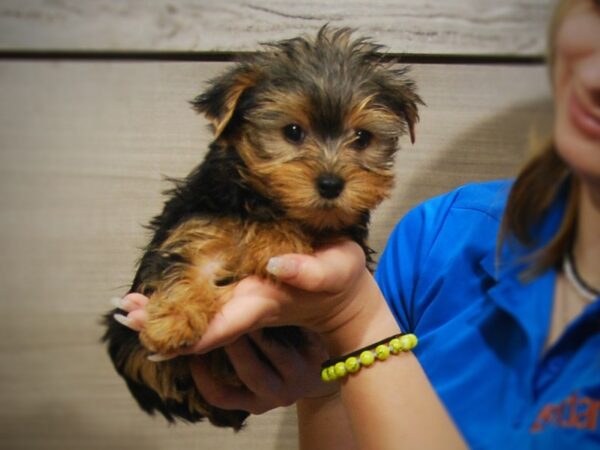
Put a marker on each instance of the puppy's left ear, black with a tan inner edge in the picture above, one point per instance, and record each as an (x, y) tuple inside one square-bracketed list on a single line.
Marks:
[(219, 102)]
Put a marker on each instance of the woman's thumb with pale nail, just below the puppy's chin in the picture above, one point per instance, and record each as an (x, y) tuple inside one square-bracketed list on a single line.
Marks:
[(328, 270)]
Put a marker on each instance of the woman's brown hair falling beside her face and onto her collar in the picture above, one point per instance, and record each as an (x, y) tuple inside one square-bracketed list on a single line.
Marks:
[(537, 186)]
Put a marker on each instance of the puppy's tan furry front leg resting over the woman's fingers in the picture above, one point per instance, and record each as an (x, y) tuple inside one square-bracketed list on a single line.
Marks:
[(189, 291)]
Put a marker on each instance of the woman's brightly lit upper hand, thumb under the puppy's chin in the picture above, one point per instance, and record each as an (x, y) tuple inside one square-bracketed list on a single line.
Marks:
[(323, 292)]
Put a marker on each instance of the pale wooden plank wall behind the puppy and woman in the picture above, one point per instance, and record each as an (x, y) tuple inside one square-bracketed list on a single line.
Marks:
[(93, 114)]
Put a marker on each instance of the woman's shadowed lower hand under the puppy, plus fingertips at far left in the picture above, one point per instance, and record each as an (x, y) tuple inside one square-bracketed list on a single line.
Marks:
[(272, 375)]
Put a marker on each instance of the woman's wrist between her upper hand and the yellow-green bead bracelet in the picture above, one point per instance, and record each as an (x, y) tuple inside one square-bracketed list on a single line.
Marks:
[(368, 319)]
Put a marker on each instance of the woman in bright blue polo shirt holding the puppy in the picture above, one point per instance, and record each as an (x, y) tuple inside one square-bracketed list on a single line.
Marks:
[(509, 329)]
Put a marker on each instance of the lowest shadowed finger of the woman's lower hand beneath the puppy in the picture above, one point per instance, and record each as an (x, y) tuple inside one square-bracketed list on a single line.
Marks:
[(218, 393)]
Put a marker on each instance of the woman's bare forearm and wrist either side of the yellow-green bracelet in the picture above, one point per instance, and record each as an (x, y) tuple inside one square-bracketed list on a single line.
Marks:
[(391, 404)]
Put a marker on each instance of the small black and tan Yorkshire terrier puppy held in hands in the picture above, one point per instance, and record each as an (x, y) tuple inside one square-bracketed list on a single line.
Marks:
[(305, 134)]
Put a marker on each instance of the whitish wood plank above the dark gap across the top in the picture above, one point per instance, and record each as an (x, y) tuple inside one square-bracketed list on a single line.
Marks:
[(510, 27)]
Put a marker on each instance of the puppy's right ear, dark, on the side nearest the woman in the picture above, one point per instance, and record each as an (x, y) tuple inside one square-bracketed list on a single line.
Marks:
[(399, 94)]
